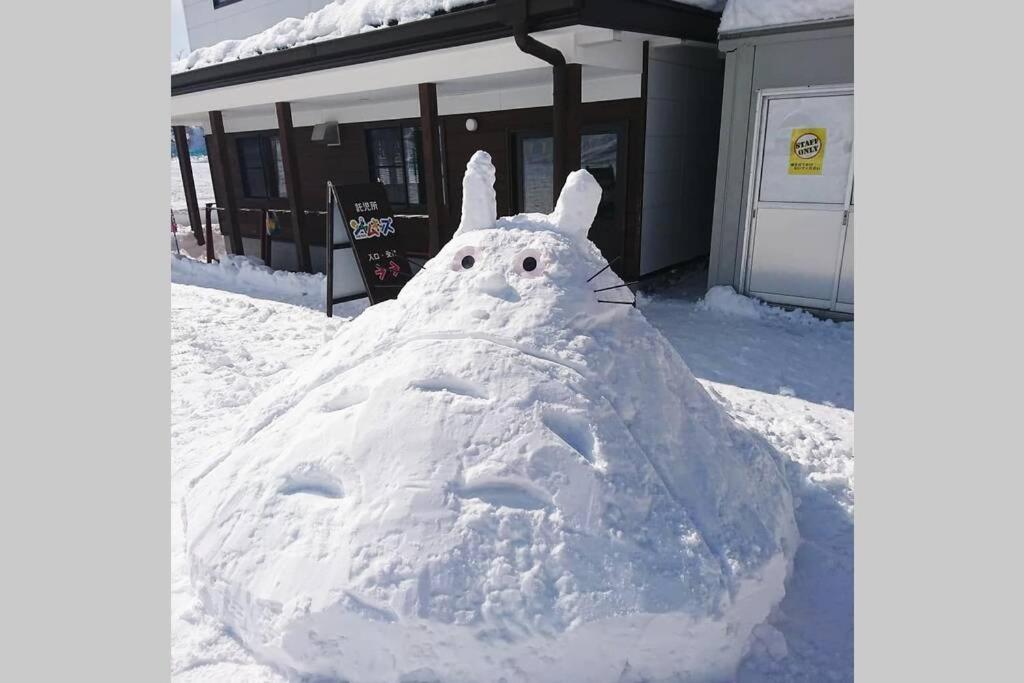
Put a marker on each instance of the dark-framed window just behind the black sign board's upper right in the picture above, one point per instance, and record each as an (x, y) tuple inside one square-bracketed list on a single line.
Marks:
[(395, 160)]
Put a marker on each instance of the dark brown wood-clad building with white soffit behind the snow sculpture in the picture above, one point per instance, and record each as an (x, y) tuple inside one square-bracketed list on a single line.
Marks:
[(628, 90)]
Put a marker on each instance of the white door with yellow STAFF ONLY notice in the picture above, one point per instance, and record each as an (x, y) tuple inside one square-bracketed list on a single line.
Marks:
[(800, 239)]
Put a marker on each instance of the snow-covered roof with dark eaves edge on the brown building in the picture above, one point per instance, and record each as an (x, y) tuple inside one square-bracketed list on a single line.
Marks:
[(333, 38)]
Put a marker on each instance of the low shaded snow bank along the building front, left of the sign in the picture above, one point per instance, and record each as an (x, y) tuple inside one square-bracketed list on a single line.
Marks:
[(247, 275)]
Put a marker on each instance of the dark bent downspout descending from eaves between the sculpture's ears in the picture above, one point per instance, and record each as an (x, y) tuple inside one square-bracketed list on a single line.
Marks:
[(516, 14)]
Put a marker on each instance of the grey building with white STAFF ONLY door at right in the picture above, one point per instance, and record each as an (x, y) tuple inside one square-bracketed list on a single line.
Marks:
[(784, 221)]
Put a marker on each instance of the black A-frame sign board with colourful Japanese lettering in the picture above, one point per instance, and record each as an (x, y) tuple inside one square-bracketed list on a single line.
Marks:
[(365, 257)]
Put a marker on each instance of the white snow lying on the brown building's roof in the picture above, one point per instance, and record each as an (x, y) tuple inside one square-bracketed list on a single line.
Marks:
[(338, 20)]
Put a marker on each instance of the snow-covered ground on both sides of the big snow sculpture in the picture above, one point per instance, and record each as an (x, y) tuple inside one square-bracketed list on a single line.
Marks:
[(786, 375)]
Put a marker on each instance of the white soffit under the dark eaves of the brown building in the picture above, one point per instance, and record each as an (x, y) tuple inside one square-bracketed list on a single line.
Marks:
[(605, 54)]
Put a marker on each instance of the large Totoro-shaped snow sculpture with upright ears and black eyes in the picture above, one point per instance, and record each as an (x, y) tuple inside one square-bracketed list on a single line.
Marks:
[(495, 477)]
